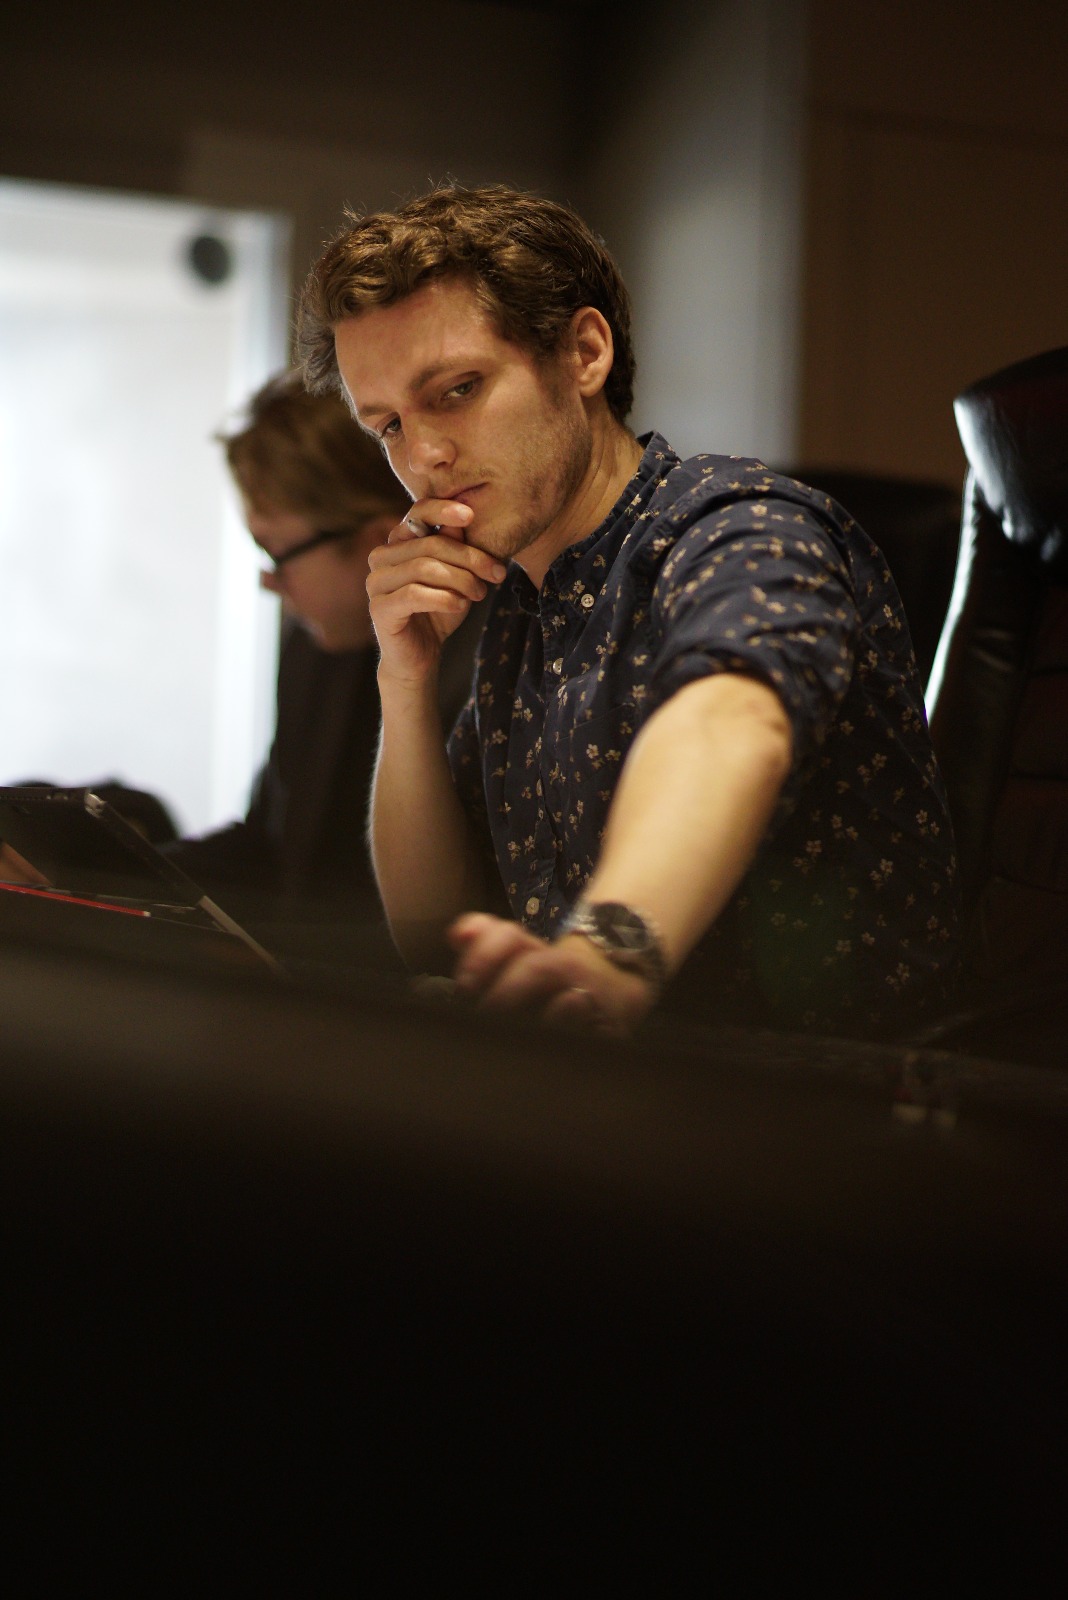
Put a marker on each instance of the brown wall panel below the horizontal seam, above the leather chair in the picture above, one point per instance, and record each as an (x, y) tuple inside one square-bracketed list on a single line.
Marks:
[(934, 257)]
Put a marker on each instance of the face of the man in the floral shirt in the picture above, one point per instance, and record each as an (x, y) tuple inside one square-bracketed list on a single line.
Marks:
[(466, 415)]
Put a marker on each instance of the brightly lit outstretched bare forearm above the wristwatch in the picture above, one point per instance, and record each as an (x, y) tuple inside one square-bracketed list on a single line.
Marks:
[(695, 801)]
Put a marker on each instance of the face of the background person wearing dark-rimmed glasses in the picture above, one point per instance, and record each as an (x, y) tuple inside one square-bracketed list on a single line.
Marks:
[(325, 590)]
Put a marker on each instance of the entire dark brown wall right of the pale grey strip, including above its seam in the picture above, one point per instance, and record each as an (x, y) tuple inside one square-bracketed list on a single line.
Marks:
[(936, 223)]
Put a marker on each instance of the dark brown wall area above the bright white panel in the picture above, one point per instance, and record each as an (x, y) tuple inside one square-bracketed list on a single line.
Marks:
[(290, 110)]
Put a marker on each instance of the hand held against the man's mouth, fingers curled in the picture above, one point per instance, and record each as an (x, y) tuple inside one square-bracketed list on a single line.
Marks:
[(423, 583)]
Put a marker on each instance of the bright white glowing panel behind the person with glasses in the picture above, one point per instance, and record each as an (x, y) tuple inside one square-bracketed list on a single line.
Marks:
[(135, 642)]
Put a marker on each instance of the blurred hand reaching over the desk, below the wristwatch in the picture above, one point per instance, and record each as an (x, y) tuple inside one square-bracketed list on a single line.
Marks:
[(570, 982)]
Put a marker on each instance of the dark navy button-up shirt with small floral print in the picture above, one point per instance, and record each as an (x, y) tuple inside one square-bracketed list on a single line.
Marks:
[(848, 918)]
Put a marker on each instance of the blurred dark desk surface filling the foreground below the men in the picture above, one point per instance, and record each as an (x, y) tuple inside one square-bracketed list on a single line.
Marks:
[(365, 1290)]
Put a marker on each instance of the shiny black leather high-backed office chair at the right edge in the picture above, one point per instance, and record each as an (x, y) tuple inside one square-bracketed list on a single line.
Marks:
[(1000, 711)]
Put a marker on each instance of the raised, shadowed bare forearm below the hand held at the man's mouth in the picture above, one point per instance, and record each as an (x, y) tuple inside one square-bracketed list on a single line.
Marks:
[(424, 855)]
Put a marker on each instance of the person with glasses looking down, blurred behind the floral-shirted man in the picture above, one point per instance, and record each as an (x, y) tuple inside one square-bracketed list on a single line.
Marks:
[(317, 497)]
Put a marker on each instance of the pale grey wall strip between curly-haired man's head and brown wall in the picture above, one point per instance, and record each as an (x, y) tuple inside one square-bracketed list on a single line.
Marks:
[(693, 177)]
